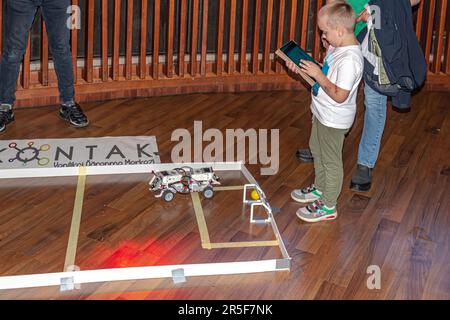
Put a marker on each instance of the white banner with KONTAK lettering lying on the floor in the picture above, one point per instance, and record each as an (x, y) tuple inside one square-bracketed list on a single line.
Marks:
[(80, 152)]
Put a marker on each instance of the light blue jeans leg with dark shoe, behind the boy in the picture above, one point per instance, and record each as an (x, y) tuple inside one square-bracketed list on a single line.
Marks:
[(369, 146)]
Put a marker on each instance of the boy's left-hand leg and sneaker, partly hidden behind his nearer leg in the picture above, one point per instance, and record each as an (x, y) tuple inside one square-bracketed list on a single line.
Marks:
[(314, 192)]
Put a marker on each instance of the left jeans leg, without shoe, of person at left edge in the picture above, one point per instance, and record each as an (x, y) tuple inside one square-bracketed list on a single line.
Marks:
[(19, 18)]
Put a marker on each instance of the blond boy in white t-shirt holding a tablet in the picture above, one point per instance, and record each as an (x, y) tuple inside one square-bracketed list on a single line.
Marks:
[(333, 107)]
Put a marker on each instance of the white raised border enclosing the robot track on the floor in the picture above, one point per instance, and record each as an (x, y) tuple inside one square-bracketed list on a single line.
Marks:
[(68, 280)]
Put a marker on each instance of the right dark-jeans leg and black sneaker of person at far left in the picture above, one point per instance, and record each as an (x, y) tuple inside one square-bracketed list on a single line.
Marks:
[(56, 15)]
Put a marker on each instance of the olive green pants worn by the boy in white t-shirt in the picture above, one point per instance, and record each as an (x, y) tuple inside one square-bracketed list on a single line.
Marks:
[(326, 147)]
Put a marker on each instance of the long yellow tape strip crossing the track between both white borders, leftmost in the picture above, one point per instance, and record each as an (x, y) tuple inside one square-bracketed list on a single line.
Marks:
[(76, 219)]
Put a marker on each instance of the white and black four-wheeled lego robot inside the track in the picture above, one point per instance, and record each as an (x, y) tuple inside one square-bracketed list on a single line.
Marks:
[(183, 180)]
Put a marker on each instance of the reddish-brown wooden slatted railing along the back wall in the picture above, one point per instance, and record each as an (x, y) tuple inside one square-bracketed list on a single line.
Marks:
[(185, 64)]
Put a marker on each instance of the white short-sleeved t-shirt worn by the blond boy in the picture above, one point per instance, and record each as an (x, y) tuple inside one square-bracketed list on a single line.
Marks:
[(345, 70)]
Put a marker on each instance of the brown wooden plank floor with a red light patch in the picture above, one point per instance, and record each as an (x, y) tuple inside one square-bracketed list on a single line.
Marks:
[(402, 225)]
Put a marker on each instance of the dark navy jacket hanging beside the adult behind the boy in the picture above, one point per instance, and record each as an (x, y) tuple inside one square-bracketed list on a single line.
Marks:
[(402, 55)]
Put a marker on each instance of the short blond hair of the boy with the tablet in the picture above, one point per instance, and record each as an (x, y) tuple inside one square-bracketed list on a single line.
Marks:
[(339, 13)]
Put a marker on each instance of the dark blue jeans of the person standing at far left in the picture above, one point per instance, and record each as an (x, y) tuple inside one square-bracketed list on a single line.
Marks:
[(19, 18)]
